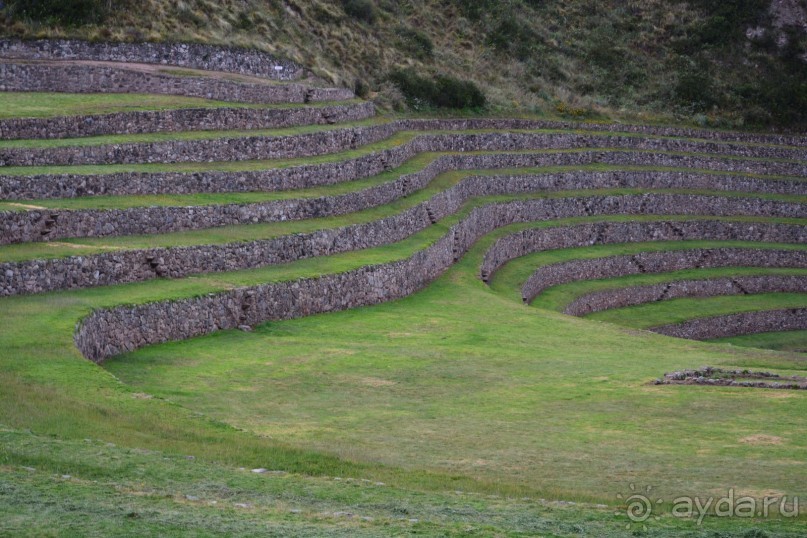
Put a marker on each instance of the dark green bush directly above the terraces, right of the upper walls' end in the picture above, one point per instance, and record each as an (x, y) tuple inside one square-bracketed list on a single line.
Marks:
[(440, 92)]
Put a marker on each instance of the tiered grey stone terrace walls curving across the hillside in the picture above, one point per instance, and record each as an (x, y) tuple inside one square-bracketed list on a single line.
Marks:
[(298, 170)]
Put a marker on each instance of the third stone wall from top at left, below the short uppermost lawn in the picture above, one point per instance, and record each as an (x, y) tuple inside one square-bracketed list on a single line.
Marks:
[(188, 119)]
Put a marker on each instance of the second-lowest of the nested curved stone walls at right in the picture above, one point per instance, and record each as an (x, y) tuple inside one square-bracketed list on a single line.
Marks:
[(711, 287)]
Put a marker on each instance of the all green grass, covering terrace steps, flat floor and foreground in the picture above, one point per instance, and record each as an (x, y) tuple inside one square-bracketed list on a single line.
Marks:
[(457, 411)]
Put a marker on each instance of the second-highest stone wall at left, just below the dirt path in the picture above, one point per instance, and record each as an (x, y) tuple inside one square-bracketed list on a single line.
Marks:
[(71, 78)]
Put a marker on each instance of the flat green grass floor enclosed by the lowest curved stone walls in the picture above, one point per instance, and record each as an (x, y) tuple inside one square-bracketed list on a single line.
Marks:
[(430, 382)]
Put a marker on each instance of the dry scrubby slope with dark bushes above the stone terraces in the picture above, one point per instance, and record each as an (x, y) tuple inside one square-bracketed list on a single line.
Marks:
[(711, 62)]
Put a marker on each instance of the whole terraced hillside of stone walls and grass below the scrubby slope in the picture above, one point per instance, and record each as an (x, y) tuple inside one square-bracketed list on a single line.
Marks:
[(210, 263)]
